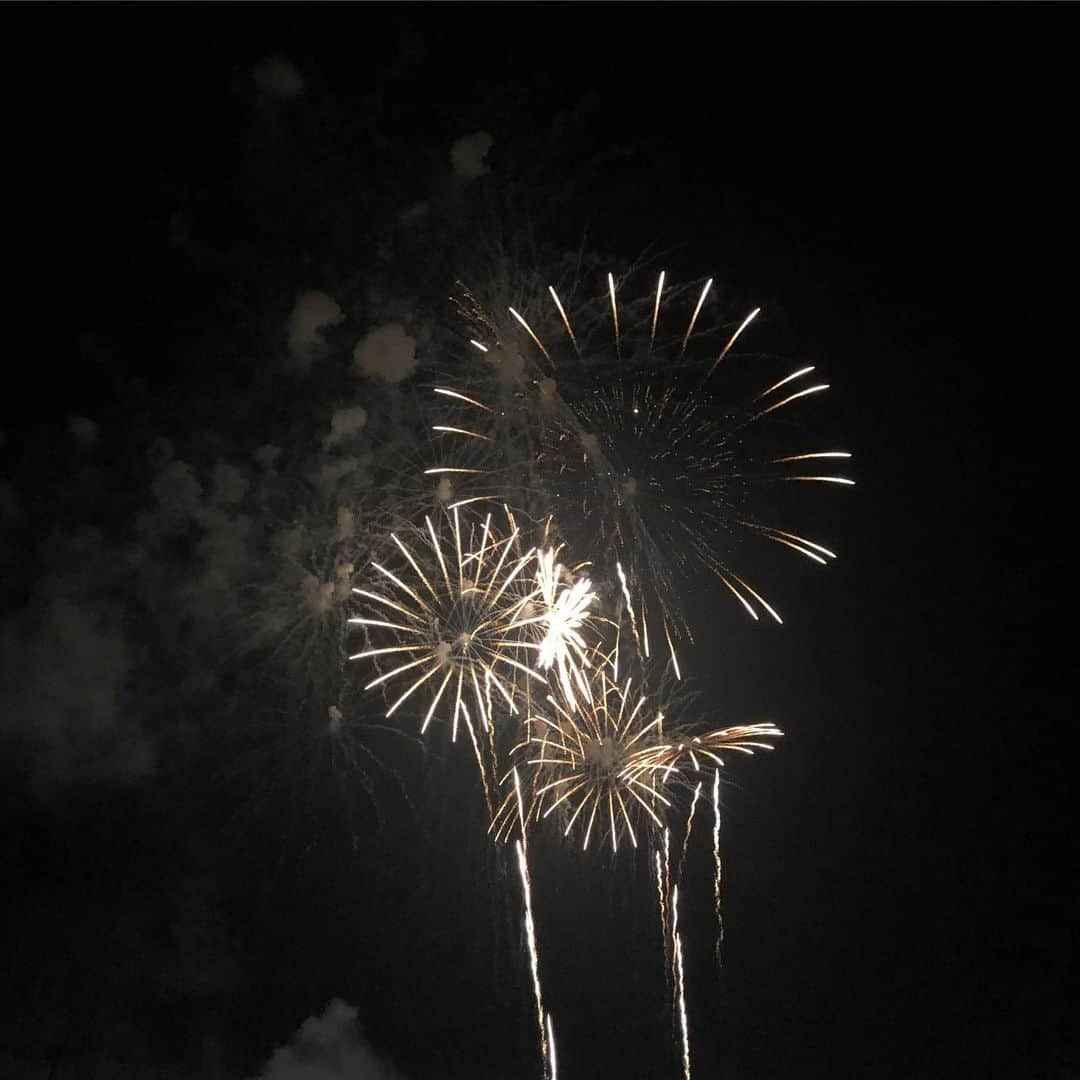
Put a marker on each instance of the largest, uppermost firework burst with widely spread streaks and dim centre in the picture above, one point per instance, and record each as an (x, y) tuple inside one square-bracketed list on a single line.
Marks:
[(647, 468)]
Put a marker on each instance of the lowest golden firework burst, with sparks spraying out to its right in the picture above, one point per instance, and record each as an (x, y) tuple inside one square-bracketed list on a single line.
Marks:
[(615, 760)]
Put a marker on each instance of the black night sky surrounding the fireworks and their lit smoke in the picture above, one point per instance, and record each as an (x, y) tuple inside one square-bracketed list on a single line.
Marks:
[(195, 866)]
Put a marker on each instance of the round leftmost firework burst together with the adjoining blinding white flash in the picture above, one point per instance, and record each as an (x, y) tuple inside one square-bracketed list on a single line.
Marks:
[(471, 616)]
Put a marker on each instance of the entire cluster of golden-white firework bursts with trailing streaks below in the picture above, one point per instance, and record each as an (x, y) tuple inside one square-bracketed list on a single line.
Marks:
[(614, 430)]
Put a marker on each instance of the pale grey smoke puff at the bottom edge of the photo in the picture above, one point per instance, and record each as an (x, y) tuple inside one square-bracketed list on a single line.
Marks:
[(329, 1048)]
